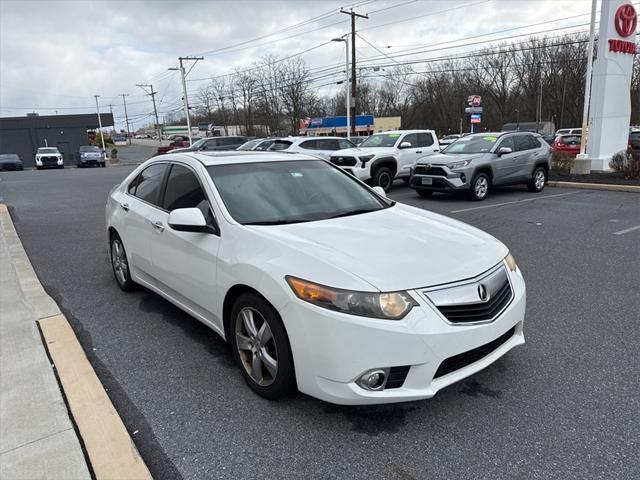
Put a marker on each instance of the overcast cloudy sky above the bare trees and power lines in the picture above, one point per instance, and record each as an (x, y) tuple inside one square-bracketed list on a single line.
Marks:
[(55, 55)]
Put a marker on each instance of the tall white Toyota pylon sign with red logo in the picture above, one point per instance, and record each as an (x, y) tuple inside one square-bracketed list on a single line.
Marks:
[(610, 105)]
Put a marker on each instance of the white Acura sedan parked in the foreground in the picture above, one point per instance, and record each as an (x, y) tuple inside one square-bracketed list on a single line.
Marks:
[(315, 279)]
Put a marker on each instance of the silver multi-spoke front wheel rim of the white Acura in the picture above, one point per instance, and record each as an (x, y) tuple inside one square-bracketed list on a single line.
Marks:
[(256, 346)]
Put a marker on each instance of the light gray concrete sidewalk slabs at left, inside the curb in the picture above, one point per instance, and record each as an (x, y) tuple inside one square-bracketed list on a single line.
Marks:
[(37, 438)]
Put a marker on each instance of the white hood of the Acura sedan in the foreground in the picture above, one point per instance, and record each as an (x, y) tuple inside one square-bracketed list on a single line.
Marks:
[(398, 248)]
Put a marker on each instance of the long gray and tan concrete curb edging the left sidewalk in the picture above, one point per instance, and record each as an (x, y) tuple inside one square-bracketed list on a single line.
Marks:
[(111, 451)]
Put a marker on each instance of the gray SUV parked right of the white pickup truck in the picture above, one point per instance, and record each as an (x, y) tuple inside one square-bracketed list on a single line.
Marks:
[(475, 163)]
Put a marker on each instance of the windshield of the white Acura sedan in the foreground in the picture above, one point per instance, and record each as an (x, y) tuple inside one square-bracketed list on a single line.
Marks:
[(275, 193)]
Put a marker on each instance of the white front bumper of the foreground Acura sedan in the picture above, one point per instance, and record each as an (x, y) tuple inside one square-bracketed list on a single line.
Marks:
[(332, 350)]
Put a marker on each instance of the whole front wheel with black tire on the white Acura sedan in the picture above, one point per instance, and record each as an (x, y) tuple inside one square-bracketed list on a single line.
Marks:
[(261, 347)]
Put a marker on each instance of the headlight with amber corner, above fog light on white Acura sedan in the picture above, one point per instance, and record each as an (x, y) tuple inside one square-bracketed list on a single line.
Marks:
[(390, 306)]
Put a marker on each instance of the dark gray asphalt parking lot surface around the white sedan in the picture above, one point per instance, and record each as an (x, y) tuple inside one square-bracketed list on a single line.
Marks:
[(565, 405)]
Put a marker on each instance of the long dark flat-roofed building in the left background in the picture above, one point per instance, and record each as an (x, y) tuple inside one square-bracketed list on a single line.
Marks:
[(23, 135)]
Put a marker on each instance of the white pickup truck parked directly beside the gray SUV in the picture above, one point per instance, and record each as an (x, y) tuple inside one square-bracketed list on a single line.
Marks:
[(386, 156)]
